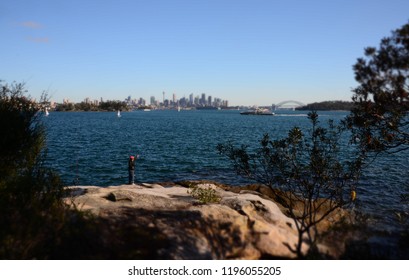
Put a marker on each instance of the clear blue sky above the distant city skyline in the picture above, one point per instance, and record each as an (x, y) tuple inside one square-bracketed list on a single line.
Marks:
[(250, 52)]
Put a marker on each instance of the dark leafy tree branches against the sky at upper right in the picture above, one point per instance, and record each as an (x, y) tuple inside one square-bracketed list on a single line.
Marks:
[(379, 120)]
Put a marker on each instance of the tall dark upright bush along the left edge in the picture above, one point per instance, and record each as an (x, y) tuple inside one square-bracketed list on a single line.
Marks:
[(29, 192)]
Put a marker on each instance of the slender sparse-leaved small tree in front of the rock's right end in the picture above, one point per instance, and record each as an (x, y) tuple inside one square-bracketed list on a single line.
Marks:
[(309, 174)]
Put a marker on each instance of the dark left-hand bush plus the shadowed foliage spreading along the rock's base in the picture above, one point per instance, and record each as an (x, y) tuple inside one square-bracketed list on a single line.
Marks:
[(35, 223)]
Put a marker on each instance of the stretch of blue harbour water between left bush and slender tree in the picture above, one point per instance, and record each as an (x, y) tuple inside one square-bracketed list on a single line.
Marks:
[(93, 147)]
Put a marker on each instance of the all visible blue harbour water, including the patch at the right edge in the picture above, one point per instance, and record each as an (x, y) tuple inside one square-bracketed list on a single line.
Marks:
[(92, 148)]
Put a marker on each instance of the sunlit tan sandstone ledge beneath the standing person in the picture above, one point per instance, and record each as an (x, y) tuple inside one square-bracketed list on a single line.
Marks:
[(242, 225)]
